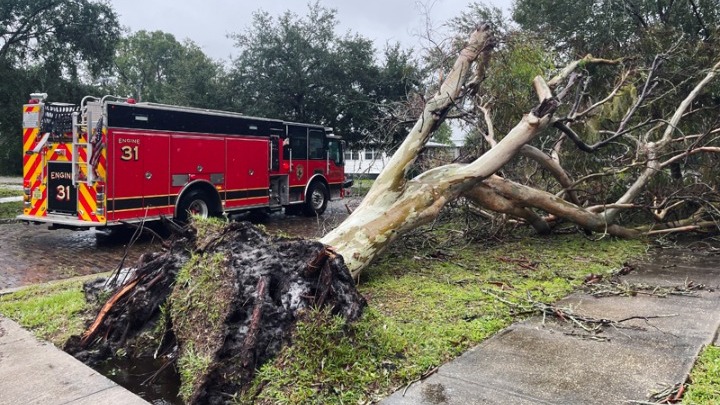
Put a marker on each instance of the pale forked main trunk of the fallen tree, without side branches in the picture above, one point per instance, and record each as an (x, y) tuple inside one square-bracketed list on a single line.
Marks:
[(395, 205)]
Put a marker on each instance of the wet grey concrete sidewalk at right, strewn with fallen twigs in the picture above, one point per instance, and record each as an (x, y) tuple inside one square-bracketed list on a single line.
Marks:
[(546, 362)]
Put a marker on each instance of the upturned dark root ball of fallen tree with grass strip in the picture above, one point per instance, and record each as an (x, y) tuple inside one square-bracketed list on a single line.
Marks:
[(221, 300)]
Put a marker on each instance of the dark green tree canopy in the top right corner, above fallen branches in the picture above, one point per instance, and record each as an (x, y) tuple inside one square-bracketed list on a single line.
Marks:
[(615, 28)]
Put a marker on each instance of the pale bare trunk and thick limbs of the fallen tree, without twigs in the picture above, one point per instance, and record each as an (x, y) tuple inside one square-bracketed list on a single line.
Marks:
[(396, 204)]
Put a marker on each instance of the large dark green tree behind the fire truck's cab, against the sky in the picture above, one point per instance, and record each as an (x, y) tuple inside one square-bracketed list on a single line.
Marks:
[(299, 69)]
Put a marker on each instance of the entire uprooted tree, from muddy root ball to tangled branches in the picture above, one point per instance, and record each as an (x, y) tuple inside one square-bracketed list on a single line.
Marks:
[(230, 295)]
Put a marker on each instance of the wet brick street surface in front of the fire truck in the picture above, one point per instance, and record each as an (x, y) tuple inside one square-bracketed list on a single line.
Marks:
[(31, 254)]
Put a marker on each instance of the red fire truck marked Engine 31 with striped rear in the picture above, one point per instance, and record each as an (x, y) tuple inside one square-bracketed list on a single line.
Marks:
[(110, 160)]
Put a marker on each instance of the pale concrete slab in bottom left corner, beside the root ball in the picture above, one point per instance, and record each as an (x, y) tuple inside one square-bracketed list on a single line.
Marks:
[(32, 372)]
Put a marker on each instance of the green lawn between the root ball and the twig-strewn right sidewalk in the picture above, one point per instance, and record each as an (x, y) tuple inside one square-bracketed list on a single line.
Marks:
[(423, 312)]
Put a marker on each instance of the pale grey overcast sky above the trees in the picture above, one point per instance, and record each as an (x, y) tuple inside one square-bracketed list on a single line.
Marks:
[(209, 22)]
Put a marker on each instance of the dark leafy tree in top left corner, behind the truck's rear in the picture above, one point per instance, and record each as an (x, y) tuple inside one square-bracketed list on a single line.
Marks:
[(48, 45)]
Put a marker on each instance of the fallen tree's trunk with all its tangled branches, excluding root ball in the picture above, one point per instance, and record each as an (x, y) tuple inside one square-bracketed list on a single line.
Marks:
[(641, 149)]
